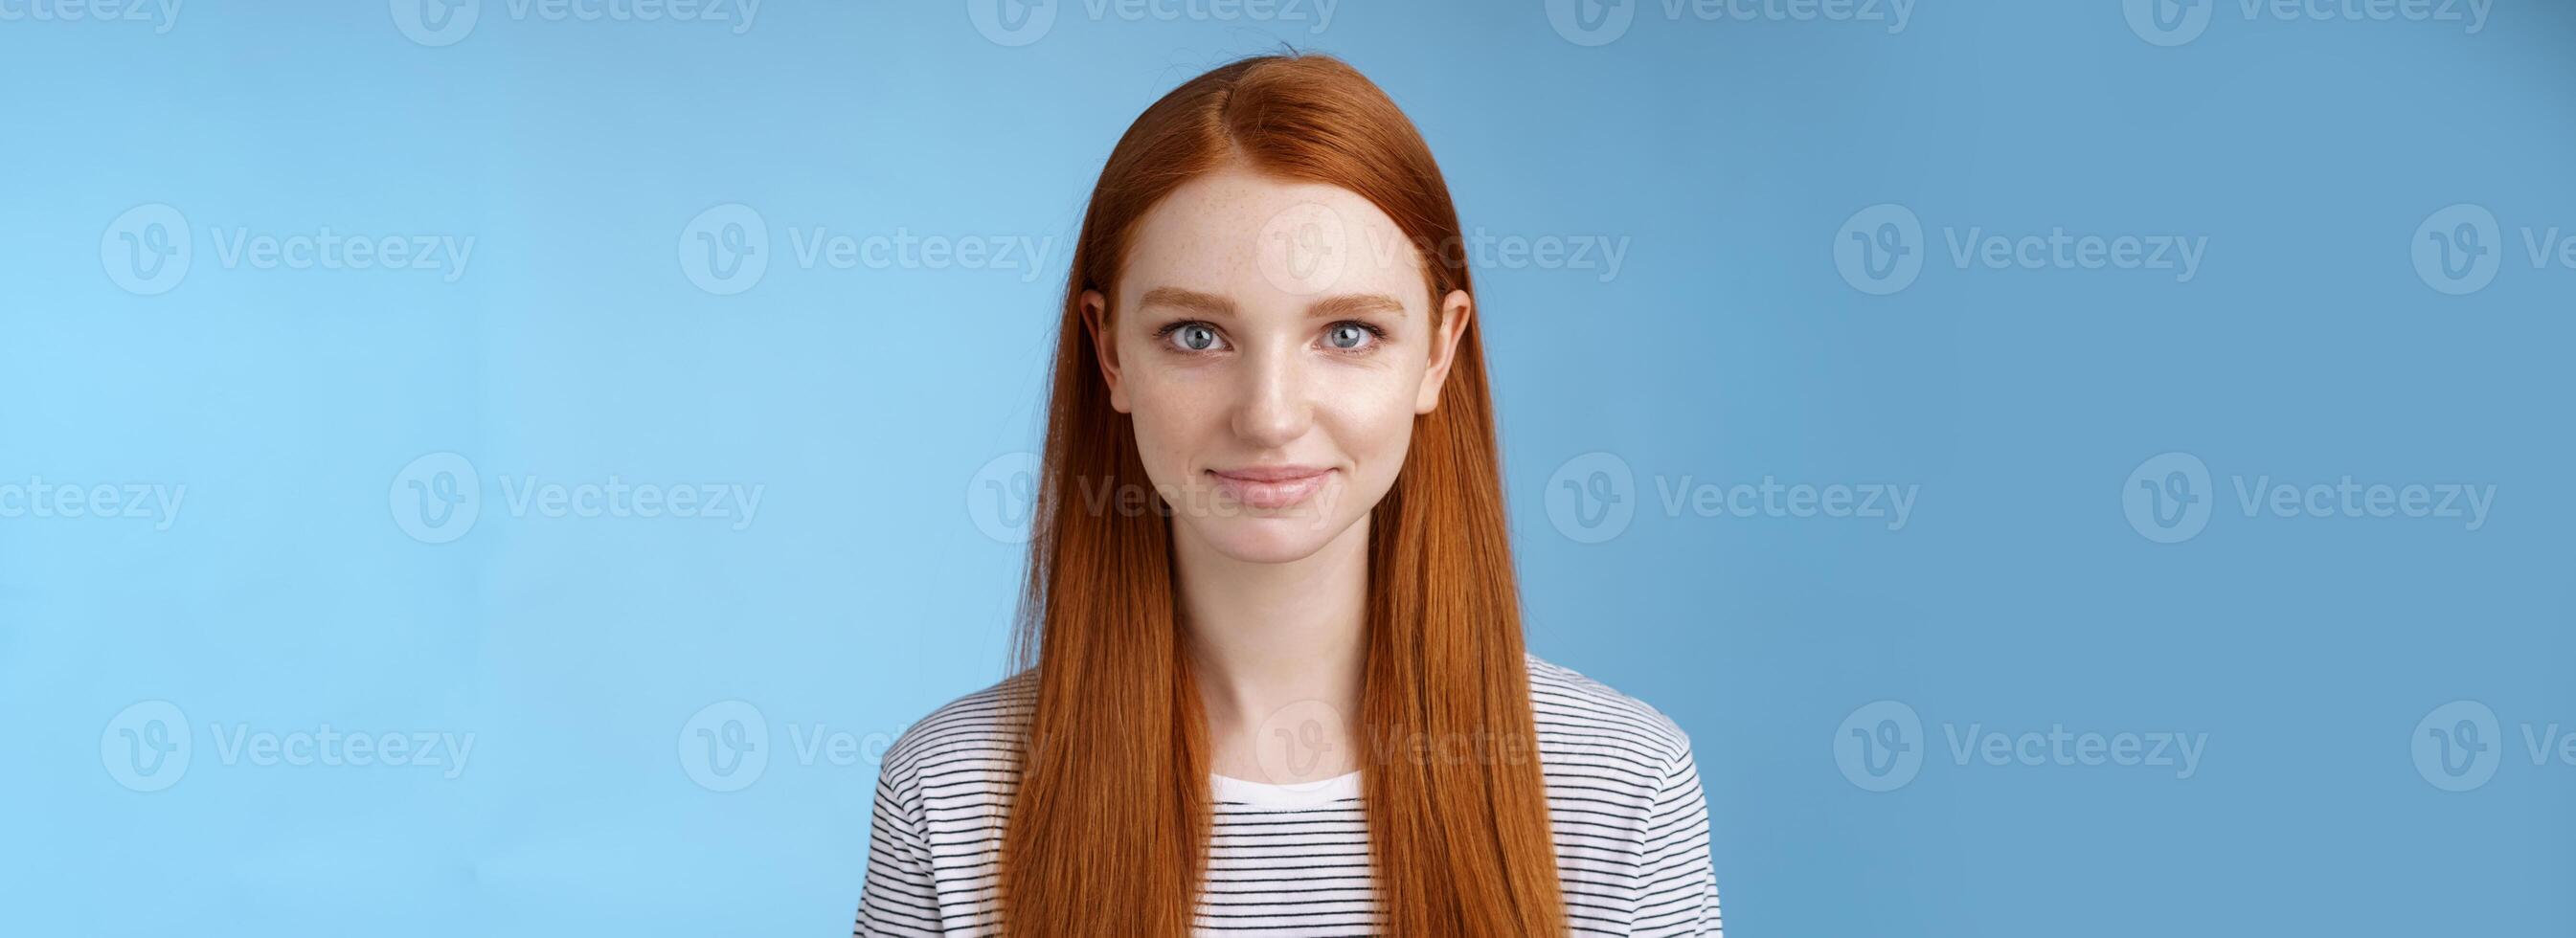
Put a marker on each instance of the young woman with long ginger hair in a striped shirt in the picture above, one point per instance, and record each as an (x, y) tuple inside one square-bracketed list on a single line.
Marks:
[(1276, 682)]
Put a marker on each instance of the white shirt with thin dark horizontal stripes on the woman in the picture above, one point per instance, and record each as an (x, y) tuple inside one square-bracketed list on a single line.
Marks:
[(1289, 862)]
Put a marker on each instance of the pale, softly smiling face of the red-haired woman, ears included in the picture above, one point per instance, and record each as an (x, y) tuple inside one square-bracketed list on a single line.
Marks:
[(1274, 344)]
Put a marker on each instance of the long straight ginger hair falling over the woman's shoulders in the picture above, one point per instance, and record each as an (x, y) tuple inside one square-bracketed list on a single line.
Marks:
[(1109, 826)]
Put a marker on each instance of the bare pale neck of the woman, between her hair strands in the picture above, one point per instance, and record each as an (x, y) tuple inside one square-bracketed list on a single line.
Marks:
[(1269, 638)]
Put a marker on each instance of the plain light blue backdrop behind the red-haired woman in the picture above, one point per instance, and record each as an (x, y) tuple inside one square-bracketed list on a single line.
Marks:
[(867, 406)]
